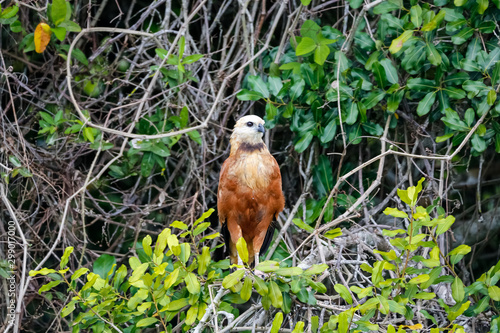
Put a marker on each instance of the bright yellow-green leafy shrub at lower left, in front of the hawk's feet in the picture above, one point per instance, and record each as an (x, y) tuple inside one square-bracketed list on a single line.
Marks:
[(171, 281)]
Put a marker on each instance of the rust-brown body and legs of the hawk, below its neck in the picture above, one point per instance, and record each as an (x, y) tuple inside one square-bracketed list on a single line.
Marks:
[(244, 211)]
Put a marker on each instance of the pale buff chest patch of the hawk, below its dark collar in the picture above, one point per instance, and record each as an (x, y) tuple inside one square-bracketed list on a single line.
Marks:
[(253, 170)]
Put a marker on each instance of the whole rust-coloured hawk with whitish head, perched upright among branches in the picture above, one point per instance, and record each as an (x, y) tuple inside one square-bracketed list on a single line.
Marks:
[(249, 194)]
